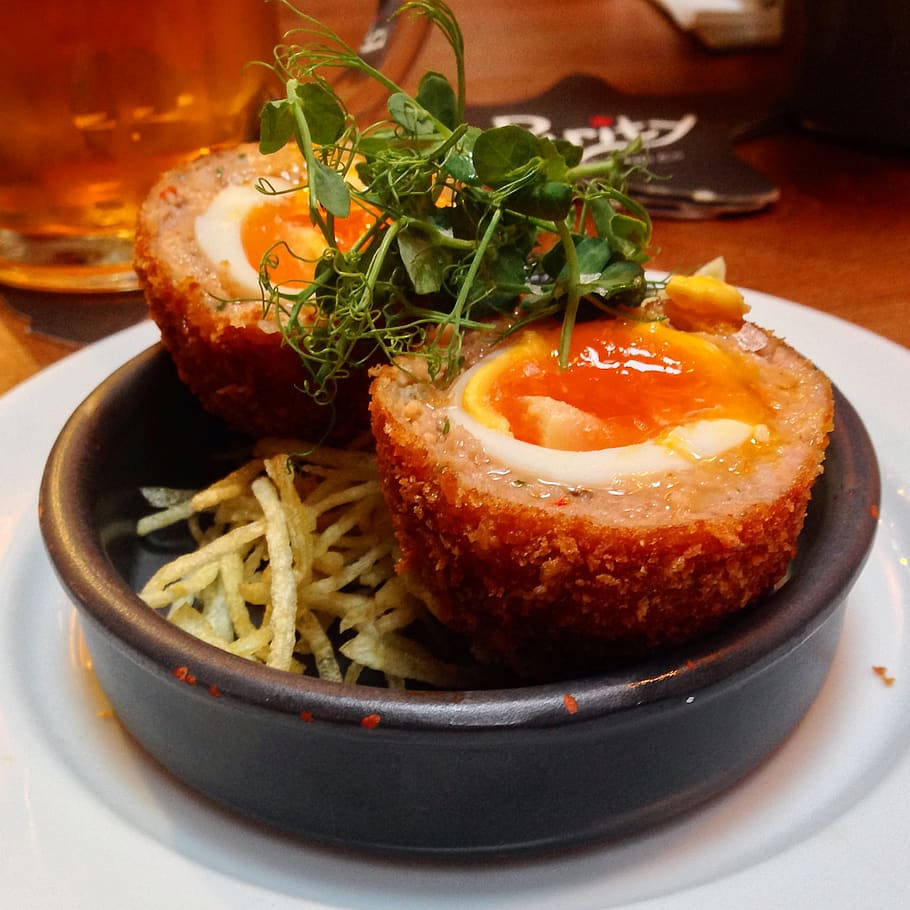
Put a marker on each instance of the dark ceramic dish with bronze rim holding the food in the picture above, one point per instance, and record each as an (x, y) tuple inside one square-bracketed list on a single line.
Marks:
[(446, 773)]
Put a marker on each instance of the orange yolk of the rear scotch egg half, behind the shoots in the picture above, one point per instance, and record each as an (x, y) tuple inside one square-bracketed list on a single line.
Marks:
[(288, 220)]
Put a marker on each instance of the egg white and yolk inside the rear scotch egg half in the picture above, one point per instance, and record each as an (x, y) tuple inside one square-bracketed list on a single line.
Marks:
[(242, 224)]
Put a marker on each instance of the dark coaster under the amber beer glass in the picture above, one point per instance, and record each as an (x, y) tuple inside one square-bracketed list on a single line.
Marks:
[(79, 318)]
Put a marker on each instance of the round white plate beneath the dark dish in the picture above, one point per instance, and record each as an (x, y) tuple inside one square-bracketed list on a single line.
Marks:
[(87, 820)]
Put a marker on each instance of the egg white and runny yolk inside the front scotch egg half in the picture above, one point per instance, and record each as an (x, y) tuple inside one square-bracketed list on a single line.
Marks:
[(636, 398)]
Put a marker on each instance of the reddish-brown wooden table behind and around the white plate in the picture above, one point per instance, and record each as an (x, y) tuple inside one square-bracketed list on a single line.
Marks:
[(838, 239)]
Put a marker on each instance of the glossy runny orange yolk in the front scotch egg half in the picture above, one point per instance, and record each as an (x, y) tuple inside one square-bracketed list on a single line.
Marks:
[(626, 382)]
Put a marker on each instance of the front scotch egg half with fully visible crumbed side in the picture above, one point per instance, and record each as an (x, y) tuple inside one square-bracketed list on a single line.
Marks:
[(630, 502)]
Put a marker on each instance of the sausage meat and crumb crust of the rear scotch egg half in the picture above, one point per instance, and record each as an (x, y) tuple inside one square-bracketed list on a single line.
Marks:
[(232, 360)]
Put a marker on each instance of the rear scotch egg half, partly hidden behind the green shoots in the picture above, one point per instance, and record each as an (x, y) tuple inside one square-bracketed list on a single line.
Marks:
[(201, 236)]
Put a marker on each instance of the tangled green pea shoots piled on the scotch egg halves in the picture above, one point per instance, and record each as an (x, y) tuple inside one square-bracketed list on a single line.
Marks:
[(468, 225)]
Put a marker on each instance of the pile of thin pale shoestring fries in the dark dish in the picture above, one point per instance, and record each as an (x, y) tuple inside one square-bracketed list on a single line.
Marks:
[(294, 567)]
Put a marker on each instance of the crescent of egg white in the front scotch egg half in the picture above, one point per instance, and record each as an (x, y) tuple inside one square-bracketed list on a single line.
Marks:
[(678, 449)]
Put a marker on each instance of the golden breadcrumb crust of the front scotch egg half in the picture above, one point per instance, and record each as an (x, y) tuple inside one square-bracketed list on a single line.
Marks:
[(552, 585)]
